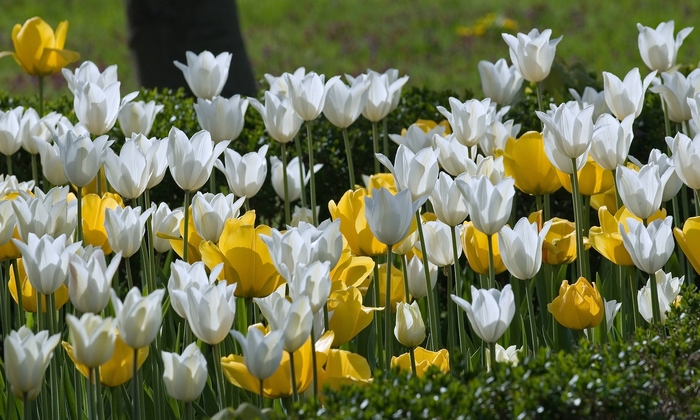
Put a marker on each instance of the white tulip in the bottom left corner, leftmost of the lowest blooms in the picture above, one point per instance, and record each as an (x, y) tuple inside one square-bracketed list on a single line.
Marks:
[(26, 358)]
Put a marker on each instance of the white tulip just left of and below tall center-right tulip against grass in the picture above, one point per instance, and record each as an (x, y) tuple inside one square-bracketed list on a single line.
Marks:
[(500, 82)]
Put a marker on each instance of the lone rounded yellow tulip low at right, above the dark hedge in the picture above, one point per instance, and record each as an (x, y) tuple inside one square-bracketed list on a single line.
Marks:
[(578, 306)]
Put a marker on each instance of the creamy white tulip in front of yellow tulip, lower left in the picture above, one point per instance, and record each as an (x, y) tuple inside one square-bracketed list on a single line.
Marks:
[(92, 338)]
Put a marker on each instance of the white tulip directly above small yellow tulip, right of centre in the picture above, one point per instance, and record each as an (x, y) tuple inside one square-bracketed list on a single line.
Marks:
[(489, 205)]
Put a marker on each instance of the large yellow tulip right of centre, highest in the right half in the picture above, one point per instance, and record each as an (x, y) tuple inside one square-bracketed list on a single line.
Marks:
[(525, 160)]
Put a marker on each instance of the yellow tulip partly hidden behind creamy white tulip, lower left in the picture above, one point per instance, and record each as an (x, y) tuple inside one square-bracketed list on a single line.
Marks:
[(119, 368)]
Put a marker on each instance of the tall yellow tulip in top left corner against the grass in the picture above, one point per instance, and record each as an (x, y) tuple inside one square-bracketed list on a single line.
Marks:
[(38, 50)]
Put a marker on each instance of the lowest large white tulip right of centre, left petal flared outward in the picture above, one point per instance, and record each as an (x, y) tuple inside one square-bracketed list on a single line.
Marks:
[(490, 312)]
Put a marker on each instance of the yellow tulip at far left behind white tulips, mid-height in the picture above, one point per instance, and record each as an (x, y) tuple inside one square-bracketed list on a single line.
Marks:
[(94, 218)]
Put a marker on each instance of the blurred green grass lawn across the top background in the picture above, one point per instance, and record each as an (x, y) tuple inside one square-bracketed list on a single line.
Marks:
[(421, 37)]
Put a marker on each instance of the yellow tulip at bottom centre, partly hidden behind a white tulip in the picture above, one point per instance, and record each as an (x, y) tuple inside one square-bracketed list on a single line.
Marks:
[(279, 385)]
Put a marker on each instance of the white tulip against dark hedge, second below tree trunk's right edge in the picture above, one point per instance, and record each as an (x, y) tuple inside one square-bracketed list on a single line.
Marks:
[(245, 174)]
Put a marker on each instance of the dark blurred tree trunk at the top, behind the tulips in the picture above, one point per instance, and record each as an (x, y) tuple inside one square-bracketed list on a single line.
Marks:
[(161, 31)]
